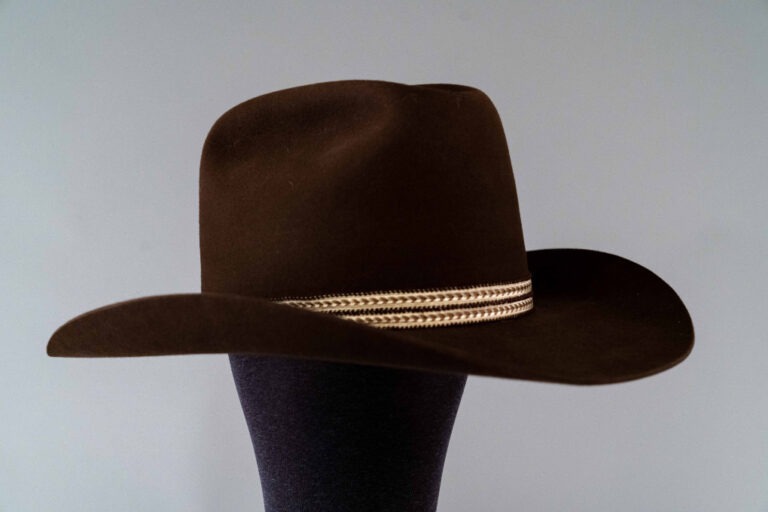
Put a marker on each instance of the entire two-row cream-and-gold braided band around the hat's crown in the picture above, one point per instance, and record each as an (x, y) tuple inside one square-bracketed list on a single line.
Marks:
[(425, 308)]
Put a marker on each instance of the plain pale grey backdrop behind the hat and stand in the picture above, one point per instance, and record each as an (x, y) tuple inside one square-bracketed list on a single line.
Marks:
[(634, 128)]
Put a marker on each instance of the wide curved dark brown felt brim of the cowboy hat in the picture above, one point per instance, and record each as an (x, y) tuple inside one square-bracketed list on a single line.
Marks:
[(597, 319)]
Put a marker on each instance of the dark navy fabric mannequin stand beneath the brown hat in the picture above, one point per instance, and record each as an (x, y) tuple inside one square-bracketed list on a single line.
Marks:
[(341, 437)]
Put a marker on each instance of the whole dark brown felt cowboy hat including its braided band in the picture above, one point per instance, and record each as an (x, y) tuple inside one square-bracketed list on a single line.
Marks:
[(377, 223)]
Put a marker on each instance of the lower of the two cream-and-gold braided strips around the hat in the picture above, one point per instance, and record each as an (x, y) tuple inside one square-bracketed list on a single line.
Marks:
[(415, 319)]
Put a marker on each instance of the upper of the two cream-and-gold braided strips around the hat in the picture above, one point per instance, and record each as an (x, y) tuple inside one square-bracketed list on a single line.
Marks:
[(416, 299)]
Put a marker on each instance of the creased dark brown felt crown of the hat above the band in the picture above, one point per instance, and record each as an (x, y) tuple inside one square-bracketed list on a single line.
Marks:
[(356, 186)]
